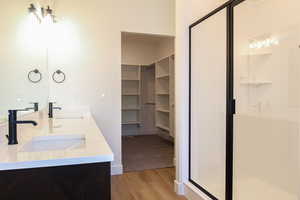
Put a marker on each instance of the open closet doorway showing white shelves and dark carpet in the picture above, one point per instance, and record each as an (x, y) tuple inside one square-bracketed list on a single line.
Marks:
[(147, 102)]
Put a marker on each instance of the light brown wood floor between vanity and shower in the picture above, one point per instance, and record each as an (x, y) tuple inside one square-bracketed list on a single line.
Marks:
[(145, 185)]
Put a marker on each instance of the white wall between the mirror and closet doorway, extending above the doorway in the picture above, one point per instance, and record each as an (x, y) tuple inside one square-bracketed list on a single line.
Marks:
[(91, 59)]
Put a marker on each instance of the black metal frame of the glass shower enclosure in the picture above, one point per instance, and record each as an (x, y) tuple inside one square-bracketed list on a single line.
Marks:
[(230, 101)]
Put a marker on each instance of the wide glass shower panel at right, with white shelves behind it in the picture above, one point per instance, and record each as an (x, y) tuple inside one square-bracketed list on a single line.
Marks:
[(267, 89)]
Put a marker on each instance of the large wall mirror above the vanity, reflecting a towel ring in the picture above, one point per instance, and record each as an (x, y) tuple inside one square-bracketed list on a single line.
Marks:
[(21, 51)]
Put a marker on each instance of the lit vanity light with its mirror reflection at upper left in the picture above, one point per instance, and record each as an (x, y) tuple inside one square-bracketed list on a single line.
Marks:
[(41, 14)]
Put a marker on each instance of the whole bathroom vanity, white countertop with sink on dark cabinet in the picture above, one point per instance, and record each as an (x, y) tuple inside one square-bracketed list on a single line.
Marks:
[(64, 158)]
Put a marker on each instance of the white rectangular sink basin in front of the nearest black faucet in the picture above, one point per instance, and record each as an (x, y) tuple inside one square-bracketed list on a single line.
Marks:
[(55, 143)]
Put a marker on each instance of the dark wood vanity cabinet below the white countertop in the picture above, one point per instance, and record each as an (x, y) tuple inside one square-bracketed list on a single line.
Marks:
[(72, 182)]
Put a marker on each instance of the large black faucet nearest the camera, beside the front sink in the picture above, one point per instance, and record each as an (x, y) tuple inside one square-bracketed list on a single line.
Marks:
[(12, 126)]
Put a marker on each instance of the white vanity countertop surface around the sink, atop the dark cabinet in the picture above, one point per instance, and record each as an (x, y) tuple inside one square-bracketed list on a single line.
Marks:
[(94, 150)]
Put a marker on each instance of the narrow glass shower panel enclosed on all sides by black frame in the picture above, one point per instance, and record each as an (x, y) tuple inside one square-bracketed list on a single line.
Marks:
[(208, 106)]
